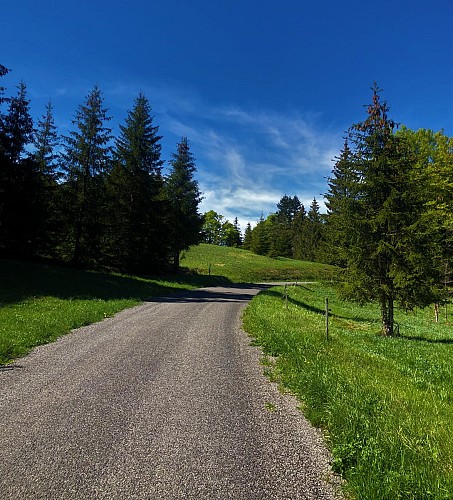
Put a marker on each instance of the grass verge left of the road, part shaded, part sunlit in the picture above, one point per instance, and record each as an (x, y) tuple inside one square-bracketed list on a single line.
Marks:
[(39, 303)]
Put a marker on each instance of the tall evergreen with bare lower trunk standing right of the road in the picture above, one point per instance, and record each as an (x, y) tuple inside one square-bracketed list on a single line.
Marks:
[(385, 242)]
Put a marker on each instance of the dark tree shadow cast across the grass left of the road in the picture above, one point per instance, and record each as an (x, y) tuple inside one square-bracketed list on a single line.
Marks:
[(21, 280)]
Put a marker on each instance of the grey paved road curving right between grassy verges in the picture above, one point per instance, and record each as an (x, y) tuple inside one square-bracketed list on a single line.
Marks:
[(165, 400)]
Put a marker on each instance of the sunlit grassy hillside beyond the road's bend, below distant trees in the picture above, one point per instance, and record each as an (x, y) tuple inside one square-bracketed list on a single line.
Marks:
[(242, 266)]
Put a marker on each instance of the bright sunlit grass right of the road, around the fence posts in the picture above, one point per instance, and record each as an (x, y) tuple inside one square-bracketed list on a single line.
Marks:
[(385, 404)]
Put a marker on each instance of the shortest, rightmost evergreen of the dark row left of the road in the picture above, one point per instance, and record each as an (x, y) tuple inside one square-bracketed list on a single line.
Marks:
[(183, 197)]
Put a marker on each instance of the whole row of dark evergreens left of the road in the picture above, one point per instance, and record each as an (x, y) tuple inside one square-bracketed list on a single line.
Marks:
[(91, 199)]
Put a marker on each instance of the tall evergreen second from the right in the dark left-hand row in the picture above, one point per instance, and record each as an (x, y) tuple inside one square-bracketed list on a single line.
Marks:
[(136, 240)]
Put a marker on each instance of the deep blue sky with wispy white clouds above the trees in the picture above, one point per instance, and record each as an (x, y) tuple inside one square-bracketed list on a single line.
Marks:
[(264, 90)]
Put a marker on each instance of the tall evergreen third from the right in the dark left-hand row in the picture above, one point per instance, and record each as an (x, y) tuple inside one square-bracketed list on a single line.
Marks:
[(86, 160)]
